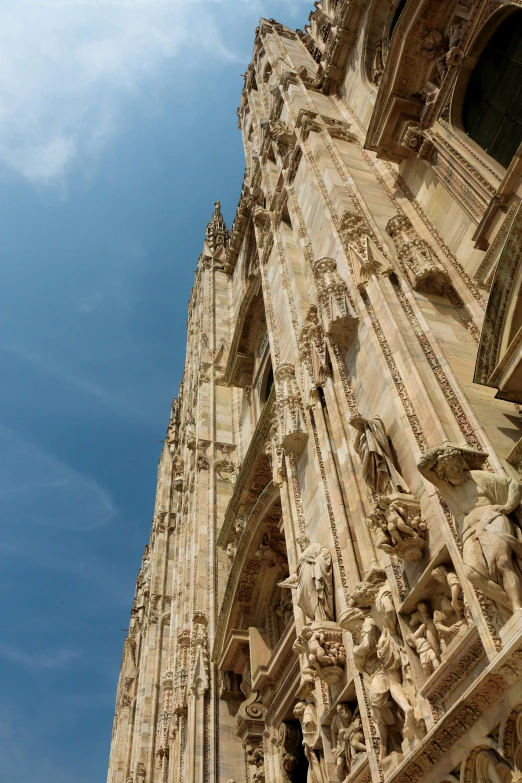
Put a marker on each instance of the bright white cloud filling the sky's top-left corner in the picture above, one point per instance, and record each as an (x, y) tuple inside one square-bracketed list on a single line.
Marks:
[(65, 68)]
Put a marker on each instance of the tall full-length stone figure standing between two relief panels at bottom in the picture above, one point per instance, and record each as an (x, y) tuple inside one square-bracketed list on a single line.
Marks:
[(379, 652)]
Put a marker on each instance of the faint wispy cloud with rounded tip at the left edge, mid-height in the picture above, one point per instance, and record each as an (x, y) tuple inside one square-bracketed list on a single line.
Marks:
[(36, 486)]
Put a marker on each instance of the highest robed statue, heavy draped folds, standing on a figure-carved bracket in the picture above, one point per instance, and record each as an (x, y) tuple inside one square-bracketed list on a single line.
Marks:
[(371, 444)]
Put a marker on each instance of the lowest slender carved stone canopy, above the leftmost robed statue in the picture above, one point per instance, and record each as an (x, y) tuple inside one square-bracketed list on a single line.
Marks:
[(292, 432)]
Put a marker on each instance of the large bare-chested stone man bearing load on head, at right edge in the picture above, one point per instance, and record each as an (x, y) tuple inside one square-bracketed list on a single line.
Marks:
[(480, 502)]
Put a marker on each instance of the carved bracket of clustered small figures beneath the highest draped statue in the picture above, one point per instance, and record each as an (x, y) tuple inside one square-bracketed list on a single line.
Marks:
[(397, 526)]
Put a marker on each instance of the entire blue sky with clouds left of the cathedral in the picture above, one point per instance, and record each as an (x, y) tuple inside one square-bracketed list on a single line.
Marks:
[(118, 131)]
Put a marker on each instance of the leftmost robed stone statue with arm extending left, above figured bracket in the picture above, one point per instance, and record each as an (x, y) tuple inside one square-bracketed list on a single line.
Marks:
[(313, 581)]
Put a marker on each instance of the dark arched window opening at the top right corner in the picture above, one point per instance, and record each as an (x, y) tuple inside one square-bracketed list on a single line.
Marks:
[(492, 110)]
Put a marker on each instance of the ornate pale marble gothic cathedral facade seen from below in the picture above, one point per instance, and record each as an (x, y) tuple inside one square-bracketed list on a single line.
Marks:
[(332, 590)]
